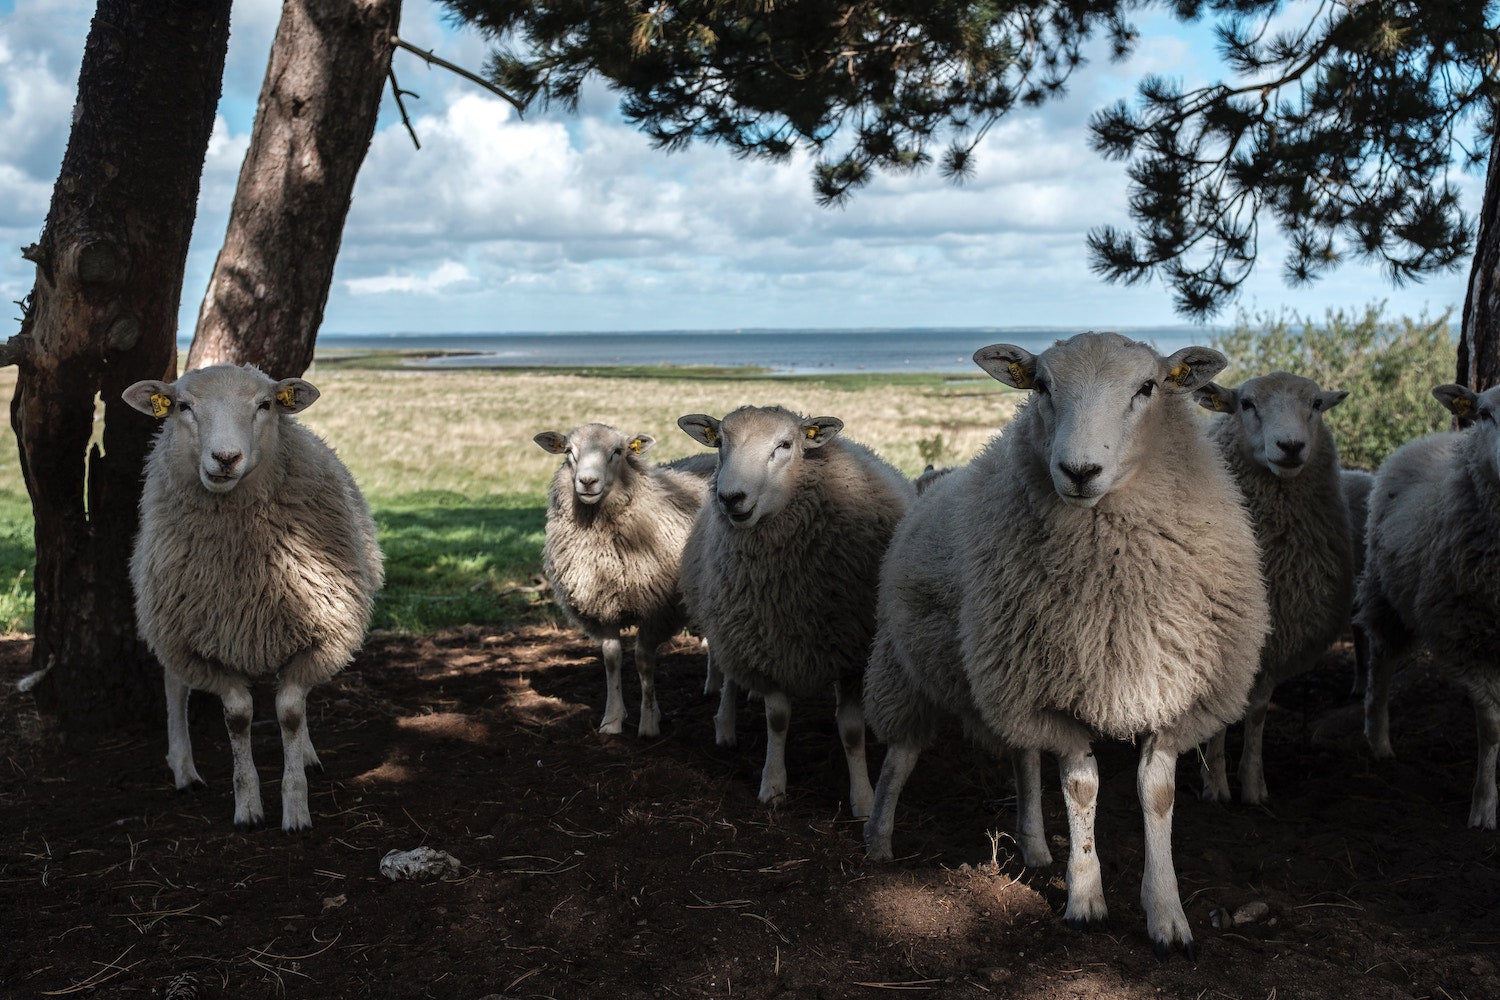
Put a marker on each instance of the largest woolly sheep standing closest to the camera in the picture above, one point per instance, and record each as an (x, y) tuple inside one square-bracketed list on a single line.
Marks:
[(1093, 573)]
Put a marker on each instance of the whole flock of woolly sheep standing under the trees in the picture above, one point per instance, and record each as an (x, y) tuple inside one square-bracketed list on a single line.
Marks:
[(1114, 566)]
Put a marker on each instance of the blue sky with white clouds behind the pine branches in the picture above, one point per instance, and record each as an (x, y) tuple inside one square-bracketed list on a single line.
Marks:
[(575, 223)]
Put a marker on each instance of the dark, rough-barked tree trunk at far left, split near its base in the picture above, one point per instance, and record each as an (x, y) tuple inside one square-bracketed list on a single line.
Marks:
[(101, 317)]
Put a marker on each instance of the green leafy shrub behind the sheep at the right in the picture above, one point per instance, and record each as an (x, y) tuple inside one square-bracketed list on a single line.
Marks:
[(1388, 367)]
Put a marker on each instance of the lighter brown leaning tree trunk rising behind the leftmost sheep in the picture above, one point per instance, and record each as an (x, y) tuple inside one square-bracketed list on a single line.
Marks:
[(313, 130)]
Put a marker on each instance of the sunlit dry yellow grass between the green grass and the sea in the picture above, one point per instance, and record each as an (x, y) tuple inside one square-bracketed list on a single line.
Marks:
[(470, 431)]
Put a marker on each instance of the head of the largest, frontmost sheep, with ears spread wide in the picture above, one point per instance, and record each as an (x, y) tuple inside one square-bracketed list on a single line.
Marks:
[(1093, 394)]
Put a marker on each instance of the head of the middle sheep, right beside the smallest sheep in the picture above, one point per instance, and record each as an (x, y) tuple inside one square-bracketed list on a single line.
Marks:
[(761, 454)]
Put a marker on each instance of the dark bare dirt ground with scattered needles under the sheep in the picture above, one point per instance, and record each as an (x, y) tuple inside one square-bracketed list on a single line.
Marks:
[(611, 867)]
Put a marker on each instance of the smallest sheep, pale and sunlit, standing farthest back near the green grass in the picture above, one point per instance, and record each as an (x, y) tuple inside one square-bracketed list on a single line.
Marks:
[(614, 540)]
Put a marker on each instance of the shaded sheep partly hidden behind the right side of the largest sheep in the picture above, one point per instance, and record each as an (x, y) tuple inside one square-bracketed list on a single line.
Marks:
[(1283, 457)]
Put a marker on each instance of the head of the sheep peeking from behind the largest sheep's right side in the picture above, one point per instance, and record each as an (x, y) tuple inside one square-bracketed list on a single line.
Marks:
[(1280, 416)]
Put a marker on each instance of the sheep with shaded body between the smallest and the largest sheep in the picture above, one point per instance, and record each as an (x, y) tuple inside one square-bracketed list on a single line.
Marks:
[(781, 572)]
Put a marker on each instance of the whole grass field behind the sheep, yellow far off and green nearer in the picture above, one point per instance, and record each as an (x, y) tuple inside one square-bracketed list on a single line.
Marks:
[(460, 490)]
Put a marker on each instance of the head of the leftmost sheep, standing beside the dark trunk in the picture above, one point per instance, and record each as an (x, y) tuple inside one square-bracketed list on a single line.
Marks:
[(221, 419)]
